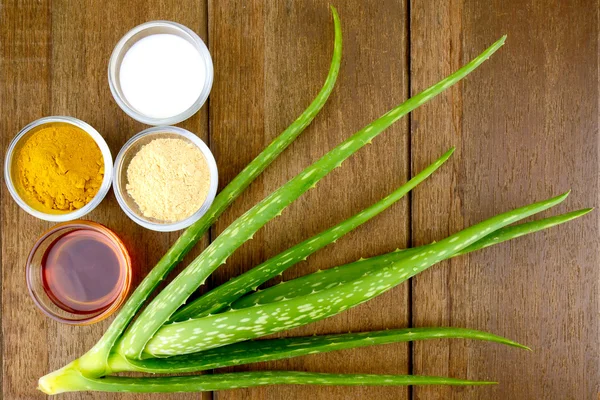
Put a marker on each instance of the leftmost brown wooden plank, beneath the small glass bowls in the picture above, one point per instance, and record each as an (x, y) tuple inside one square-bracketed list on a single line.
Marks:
[(54, 60)]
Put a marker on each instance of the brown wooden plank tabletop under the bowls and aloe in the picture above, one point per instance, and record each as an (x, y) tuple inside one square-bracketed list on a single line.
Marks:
[(525, 126)]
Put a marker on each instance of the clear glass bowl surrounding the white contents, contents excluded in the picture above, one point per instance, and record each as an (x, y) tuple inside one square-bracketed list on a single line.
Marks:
[(140, 32)]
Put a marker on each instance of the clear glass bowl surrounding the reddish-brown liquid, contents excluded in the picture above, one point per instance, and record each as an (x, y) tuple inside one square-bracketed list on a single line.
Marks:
[(35, 279)]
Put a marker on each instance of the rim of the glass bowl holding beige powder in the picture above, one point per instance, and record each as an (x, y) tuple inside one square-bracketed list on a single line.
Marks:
[(212, 191)]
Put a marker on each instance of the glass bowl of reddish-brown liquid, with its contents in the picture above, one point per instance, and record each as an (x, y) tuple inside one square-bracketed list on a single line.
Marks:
[(79, 272)]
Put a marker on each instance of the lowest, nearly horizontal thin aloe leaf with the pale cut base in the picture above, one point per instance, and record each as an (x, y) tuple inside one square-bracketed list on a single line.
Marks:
[(74, 381)]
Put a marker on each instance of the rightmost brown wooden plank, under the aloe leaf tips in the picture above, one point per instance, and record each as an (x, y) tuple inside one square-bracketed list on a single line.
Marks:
[(526, 128)]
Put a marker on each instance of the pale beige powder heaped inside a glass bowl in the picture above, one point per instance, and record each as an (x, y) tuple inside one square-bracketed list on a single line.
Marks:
[(168, 179)]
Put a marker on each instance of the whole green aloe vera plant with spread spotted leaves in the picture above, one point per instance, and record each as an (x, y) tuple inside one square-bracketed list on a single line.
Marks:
[(208, 333)]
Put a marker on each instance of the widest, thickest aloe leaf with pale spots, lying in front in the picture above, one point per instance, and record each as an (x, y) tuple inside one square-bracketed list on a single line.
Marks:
[(249, 323)]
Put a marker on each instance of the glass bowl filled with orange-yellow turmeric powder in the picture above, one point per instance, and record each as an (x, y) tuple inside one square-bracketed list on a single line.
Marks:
[(58, 168)]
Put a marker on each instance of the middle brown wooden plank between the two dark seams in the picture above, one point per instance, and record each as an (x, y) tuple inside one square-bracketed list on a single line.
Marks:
[(271, 59)]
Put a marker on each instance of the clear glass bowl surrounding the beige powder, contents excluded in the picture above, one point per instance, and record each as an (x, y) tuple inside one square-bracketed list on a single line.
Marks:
[(127, 153)]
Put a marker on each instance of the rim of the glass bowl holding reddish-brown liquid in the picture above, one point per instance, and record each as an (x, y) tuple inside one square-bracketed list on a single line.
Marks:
[(114, 306)]
